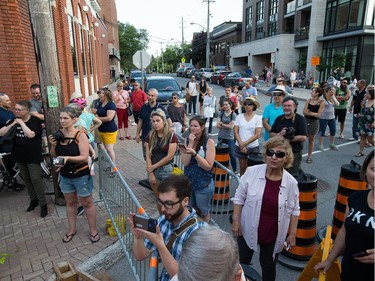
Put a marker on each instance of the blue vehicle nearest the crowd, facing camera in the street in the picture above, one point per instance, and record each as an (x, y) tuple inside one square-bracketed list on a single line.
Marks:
[(166, 86)]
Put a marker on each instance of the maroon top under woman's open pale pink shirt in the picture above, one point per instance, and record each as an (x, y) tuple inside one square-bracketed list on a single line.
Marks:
[(267, 229)]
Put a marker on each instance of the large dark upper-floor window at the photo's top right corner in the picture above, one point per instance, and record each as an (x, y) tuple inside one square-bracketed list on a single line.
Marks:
[(344, 15)]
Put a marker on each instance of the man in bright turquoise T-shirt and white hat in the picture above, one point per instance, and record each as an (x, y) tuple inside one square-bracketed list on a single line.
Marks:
[(273, 110)]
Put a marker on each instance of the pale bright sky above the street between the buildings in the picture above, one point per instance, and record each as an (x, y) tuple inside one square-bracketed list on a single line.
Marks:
[(163, 18)]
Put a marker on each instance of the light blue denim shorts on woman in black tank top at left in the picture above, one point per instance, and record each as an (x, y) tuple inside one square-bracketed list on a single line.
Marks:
[(82, 185)]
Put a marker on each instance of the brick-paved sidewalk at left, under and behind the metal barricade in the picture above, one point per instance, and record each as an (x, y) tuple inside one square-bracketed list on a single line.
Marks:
[(33, 242)]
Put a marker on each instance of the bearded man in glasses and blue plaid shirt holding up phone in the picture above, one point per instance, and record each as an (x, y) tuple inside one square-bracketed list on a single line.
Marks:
[(177, 221)]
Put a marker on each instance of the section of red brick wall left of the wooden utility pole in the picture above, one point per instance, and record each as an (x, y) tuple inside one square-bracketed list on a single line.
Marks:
[(18, 68)]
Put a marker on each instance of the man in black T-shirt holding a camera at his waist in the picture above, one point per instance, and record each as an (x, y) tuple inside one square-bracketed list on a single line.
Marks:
[(291, 126)]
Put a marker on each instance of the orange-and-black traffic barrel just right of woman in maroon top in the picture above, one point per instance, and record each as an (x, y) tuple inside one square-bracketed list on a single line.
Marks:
[(306, 228)]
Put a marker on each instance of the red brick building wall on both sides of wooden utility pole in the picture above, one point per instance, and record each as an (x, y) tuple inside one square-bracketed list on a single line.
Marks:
[(18, 66)]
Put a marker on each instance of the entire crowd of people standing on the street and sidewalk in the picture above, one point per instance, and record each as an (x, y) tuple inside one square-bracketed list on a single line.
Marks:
[(260, 221)]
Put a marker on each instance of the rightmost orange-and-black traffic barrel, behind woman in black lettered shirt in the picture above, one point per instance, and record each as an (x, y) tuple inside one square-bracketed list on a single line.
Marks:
[(349, 182)]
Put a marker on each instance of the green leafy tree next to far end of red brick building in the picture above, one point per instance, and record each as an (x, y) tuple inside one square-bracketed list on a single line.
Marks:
[(131, 40)]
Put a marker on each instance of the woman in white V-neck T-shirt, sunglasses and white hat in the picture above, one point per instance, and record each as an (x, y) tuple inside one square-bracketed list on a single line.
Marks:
[(247, 129)]
